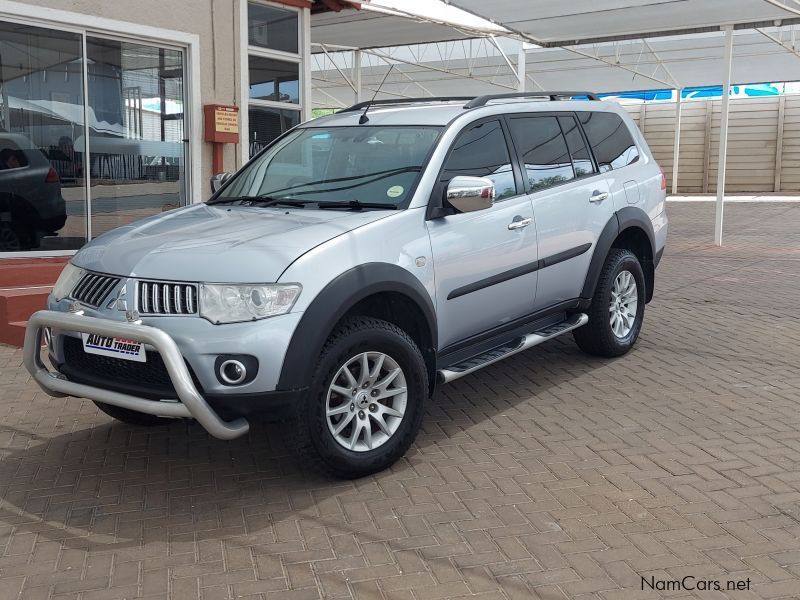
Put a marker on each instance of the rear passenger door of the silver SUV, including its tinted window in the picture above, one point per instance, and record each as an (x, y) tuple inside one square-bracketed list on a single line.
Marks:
[(571, 200)]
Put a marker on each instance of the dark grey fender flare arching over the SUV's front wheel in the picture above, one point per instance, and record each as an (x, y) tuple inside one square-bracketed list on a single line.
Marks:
[(333, 302)]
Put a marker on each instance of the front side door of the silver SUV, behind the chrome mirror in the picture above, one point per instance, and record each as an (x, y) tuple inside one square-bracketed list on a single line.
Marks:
[(484, 261)]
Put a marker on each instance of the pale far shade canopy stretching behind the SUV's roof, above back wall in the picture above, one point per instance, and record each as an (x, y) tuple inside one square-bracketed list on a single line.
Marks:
[(478, 66)]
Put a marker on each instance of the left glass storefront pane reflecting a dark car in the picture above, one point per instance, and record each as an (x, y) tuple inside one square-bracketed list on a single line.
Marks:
[(42, 172)]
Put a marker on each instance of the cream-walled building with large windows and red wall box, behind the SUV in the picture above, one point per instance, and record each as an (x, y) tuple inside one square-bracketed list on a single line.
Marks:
[(102, 105)]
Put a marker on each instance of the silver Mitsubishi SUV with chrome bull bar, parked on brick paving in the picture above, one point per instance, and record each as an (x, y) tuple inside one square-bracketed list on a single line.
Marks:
[(358, 261)]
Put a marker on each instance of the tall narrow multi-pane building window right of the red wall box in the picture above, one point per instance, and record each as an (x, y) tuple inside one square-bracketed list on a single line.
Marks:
[(274, 61)]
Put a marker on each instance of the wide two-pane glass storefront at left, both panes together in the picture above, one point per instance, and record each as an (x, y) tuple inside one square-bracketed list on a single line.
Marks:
[(64, 178)]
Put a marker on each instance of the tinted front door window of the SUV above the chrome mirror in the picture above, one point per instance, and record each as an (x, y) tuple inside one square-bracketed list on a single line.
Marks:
[(482, 152)]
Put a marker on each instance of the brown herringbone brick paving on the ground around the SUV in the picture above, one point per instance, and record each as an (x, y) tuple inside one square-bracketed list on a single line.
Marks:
[(551, 475)]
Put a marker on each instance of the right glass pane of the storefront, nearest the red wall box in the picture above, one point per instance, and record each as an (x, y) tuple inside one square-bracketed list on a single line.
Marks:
[(136, 131)]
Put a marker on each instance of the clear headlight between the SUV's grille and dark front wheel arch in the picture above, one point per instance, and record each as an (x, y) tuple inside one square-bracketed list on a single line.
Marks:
[(232, 303)]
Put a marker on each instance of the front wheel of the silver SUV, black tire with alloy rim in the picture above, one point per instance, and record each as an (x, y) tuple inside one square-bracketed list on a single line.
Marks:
[(366, 401)]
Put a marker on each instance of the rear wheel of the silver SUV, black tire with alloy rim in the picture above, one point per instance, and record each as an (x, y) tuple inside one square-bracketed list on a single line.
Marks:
[(617, 309)]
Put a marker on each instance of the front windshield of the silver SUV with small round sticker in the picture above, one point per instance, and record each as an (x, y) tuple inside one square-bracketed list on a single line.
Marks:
[(364, 164)]
